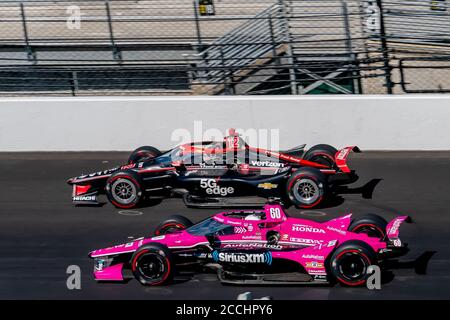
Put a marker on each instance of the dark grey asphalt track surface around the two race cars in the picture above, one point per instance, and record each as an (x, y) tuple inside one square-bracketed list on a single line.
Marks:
[(42, 233)]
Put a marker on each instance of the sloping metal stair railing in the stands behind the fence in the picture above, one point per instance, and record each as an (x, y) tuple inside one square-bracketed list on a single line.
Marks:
[(231, 56)]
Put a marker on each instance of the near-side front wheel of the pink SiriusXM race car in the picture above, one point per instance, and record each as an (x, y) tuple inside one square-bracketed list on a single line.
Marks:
[(152, 264)]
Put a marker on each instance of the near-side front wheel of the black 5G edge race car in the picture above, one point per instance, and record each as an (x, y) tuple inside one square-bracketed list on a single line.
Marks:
[(124, 190)]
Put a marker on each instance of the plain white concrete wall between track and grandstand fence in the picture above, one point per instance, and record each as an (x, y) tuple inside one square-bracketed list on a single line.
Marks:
[(410, 122)]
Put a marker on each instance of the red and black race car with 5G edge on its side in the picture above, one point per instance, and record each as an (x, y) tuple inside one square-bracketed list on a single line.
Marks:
[(219, 174)]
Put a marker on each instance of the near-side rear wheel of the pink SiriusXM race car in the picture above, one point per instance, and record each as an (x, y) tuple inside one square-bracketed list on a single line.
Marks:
[(350, 262)]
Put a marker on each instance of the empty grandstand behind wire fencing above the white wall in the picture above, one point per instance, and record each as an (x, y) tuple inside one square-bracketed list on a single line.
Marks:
[(215, 47)]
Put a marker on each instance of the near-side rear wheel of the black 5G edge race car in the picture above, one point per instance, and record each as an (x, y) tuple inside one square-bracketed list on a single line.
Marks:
[(307, 187)]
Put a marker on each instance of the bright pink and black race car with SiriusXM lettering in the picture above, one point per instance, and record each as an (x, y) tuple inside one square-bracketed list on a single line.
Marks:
[(256, 247)]
